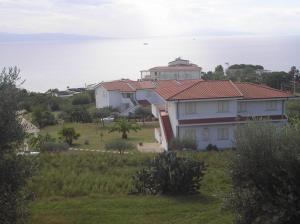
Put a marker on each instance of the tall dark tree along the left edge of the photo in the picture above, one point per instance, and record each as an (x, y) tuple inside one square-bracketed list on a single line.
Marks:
[(14, 169)]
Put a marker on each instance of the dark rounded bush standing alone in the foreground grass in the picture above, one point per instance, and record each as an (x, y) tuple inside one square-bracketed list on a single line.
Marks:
[(168, 173)]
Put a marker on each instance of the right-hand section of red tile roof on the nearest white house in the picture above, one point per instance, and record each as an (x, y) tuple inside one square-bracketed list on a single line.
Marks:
[(255, 91)]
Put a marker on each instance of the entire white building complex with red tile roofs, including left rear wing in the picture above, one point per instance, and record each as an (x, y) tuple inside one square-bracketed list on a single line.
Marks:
[(206, 111)]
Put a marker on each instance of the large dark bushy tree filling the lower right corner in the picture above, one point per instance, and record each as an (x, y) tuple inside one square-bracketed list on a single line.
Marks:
[(265, 174)]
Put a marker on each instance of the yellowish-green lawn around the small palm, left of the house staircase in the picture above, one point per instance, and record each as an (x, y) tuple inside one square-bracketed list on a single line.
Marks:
[(91, 132)]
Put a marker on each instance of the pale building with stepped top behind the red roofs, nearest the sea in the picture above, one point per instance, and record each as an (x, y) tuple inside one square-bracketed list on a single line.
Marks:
[(179, 69)]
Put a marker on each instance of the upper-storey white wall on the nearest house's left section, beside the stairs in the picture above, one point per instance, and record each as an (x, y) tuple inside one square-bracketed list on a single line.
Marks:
[(207, 109)]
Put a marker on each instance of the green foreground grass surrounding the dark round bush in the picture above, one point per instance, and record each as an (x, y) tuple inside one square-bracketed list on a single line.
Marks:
[(87, 188)]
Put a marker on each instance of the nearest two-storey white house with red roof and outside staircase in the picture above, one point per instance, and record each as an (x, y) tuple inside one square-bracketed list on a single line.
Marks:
[(209, 111)]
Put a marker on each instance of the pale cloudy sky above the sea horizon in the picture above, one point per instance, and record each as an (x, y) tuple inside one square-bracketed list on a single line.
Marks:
[(147, 18)]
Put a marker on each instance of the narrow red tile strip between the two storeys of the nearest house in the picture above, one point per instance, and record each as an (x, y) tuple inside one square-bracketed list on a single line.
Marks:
[(228, 119)]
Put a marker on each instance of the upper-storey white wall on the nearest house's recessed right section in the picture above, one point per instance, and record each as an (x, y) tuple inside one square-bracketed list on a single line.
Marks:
[(258, 108)]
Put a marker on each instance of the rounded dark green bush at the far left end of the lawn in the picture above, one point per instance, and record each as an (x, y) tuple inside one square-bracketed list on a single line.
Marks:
[(43, 118)]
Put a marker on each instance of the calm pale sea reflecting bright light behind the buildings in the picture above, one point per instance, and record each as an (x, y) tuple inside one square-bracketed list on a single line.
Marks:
[(58, 65)]
